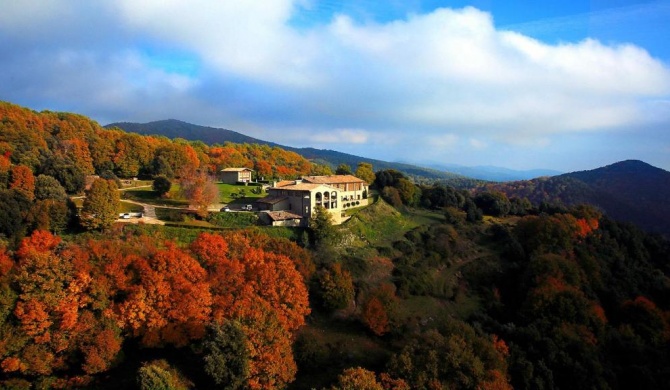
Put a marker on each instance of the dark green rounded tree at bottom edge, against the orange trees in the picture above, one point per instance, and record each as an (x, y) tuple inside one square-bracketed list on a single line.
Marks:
[(226, 356)]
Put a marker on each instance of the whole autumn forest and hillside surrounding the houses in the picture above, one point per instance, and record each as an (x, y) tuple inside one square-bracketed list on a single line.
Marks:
[(429, 287)]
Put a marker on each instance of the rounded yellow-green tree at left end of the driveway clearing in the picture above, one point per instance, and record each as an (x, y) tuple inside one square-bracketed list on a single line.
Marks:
[(101, 205)]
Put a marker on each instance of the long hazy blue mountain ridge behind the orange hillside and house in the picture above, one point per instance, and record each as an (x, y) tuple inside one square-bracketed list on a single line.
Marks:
[(173, 128)]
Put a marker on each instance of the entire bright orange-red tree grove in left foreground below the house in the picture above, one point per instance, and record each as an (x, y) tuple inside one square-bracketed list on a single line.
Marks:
[(74, 303)]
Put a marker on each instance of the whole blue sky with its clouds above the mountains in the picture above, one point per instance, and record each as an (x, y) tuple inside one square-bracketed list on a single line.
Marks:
[(562, 85)]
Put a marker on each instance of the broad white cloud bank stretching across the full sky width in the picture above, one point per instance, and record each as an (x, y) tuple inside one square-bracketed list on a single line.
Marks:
[(432, 80)]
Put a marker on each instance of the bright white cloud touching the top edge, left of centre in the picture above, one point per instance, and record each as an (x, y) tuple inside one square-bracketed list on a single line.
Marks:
[(248, 39)]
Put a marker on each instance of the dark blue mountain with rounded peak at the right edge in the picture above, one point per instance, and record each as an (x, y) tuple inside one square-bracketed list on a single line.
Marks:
[(630, 190)]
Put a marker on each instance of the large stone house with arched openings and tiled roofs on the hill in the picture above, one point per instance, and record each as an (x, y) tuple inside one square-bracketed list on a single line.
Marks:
[(334, 193)]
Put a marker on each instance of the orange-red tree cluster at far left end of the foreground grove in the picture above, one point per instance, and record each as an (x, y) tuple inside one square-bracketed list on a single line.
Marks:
[(56, 312)]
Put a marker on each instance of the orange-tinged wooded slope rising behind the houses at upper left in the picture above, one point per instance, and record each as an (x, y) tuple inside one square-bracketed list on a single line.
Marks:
[(69, 146)]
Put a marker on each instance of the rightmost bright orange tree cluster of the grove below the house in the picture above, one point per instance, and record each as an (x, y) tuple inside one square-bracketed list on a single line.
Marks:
[(263, 292)]
